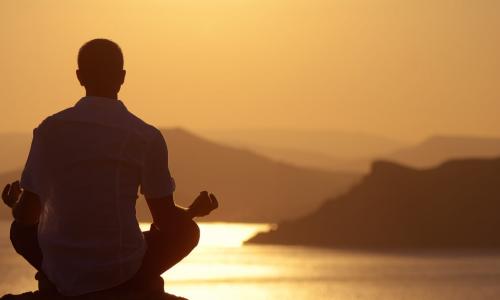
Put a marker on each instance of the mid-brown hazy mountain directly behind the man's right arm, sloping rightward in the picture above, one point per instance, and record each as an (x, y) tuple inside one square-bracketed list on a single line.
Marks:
[(250, 187)]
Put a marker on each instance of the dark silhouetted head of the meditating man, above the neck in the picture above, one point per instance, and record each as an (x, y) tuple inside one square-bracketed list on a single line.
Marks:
[(100, 65)]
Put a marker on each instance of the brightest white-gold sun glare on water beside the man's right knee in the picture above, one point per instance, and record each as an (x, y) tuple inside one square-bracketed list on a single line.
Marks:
[(218, 258)]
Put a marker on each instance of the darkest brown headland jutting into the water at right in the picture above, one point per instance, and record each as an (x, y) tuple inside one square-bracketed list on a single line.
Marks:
[(454, 205)]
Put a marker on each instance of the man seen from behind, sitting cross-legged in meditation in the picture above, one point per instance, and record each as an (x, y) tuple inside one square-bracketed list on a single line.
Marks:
[(75, 220)]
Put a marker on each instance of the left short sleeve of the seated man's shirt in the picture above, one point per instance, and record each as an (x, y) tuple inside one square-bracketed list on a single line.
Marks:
[(31, 178)]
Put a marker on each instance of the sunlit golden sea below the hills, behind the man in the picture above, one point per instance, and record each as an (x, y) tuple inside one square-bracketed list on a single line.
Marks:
[(222, 267)]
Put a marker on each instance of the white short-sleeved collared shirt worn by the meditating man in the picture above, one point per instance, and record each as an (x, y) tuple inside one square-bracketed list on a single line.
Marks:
[(86, 163)]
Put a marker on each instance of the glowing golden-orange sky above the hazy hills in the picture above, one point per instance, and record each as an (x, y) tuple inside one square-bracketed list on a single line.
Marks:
[(404, 69)]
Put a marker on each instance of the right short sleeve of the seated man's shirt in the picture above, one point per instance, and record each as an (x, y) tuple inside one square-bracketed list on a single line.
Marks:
[(156, 181)]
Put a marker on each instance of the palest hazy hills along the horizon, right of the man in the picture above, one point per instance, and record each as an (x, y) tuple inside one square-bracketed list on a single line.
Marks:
[(354, 152)]
